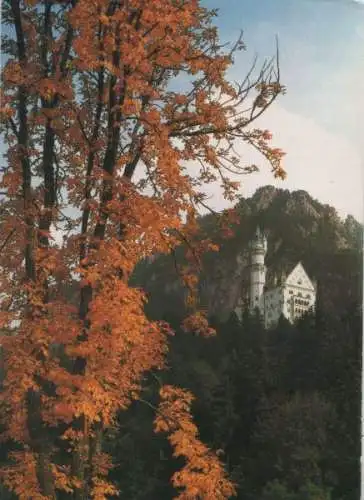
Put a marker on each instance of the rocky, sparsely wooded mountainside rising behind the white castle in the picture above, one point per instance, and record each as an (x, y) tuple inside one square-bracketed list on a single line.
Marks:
[(299, 228)]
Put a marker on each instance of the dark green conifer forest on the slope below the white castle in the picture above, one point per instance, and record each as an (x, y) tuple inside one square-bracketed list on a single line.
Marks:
[(282, 407)]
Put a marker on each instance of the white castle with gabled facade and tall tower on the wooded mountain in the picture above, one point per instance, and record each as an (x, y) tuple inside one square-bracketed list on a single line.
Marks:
[(293, 297)]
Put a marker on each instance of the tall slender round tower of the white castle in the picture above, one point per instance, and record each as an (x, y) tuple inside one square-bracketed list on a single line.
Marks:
[(258, 249)]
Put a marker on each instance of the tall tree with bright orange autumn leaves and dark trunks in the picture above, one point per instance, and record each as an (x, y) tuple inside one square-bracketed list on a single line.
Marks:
[(115, 115)]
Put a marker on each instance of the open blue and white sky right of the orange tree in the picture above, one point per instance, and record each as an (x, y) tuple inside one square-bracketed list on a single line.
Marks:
[(318, 122)]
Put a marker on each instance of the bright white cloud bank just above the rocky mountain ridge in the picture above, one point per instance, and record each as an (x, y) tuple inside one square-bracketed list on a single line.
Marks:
[(318, 161)]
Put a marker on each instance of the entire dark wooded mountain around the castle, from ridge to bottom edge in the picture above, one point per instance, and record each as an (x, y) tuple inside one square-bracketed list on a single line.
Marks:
[(283, 405)]
